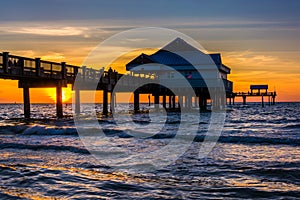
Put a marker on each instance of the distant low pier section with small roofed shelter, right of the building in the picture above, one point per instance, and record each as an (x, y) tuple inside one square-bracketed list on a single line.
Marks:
[(255, 91)]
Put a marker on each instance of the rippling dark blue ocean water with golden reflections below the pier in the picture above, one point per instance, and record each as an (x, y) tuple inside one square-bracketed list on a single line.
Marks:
[(256, 156)]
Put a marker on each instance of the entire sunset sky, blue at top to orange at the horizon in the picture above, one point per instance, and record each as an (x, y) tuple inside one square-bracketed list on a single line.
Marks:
[(259, 39)]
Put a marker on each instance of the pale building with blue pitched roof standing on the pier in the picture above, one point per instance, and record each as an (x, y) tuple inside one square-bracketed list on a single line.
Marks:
[(170, 59)]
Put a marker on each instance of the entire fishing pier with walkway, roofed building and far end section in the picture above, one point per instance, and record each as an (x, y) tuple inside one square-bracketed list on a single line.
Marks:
[(37, 73)]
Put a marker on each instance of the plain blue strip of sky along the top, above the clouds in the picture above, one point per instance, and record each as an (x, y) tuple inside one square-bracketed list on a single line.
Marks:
[(265, 10)]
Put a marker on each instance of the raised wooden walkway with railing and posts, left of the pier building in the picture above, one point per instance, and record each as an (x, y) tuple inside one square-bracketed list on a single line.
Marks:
[(37, 73)]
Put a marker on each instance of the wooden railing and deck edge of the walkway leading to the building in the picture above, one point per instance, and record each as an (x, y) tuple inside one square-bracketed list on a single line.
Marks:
[(17, 67)]
